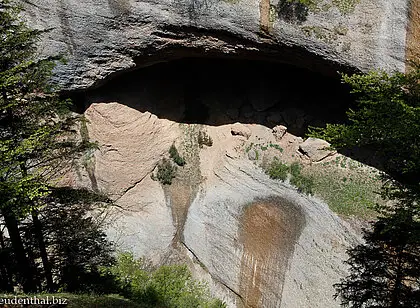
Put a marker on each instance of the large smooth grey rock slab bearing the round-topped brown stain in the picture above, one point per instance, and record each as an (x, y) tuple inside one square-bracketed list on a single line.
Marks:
[(265, 242)]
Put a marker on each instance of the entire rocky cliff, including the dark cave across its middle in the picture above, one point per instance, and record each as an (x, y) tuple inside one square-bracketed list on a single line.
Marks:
[(258, 242)]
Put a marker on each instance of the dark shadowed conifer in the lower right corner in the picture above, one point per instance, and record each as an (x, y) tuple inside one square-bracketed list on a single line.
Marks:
[(384, 271)]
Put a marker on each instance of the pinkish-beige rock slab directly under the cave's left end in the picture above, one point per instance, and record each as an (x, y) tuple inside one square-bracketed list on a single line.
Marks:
[(130, 145)]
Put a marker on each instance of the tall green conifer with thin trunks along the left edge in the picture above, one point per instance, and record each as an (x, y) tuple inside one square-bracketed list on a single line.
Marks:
[(37, 137)]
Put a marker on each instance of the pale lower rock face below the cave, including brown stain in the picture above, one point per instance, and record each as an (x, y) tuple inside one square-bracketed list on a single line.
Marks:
[(257, 241)]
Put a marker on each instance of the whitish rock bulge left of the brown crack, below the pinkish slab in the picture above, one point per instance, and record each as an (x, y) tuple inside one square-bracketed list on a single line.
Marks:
[(142, 223)]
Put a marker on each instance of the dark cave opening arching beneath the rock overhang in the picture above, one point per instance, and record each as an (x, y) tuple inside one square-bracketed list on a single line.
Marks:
[(222, 91)]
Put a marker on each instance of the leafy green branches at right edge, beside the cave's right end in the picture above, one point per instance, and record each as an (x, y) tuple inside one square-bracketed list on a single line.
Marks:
[(386, 120)]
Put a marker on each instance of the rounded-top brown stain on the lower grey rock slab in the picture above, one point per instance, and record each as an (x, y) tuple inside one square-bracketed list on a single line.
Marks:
[(270, 229)]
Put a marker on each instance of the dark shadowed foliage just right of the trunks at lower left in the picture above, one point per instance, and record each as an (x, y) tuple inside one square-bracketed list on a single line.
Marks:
[(78, 248)]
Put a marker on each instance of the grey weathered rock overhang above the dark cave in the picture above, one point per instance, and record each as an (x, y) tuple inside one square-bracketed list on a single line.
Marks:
[(102, 37)]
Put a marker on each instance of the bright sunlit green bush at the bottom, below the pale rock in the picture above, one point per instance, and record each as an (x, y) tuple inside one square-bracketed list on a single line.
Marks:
[(170, 286)]
